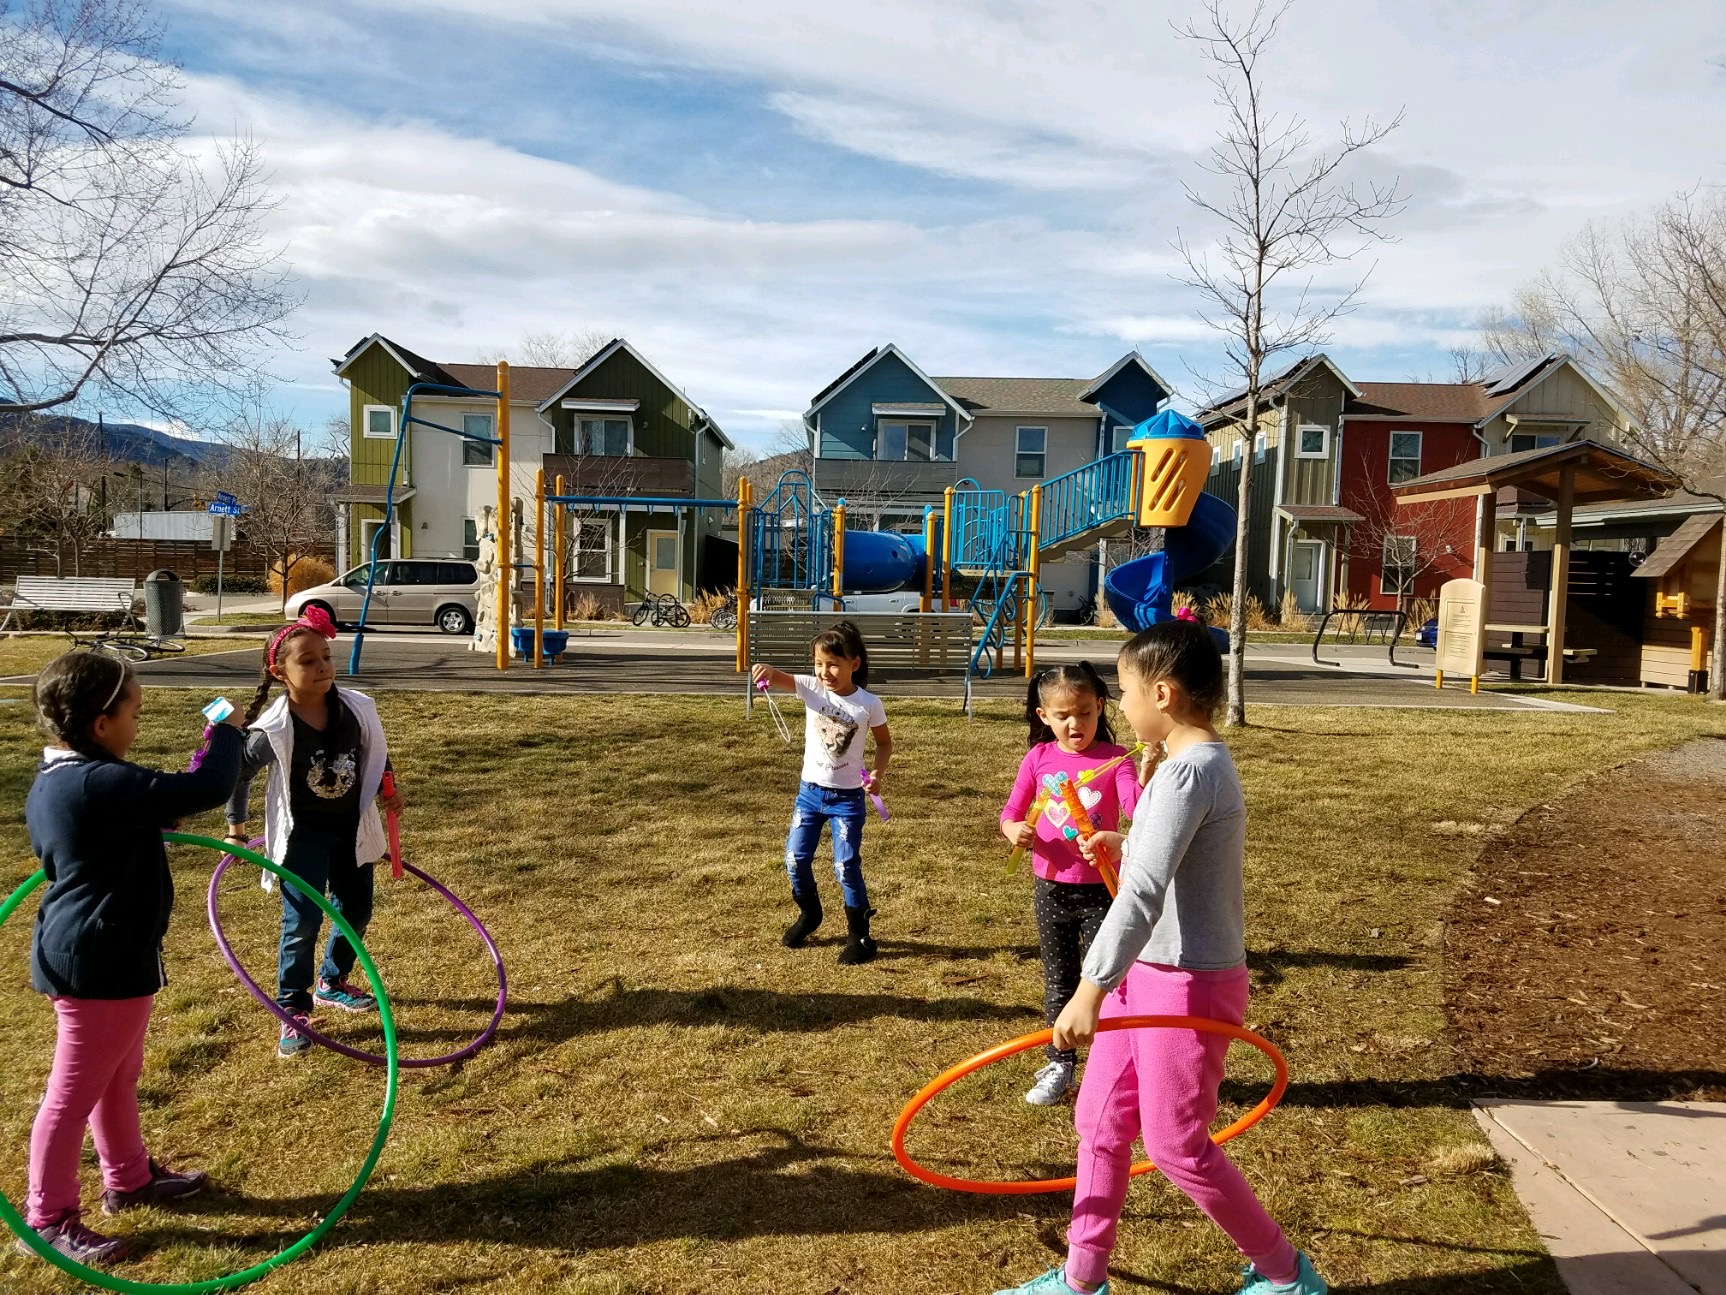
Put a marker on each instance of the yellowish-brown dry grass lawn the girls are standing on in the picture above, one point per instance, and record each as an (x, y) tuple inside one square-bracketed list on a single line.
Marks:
[(679, 1104)]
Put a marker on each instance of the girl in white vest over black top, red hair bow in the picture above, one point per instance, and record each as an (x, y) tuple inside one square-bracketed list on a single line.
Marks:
[(327, 755)]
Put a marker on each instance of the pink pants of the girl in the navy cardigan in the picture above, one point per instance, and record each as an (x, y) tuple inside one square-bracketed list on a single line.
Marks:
[(98, 1061)]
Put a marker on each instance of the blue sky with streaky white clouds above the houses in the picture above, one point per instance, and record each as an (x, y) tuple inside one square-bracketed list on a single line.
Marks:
[(759, 193)]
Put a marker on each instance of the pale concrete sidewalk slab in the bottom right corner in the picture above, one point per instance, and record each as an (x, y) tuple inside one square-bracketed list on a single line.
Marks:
[(1630, 1197)]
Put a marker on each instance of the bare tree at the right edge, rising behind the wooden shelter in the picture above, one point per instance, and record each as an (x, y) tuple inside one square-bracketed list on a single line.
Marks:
[(1644, 306)]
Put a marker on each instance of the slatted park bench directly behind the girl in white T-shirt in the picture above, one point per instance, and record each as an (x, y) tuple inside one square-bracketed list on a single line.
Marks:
[(902, 645)]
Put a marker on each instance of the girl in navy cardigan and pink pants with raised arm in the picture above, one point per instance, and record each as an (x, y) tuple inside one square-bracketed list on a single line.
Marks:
[(96, 823)]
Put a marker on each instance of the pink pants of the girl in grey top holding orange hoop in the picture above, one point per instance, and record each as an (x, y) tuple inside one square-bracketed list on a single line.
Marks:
[(1162, 1085)]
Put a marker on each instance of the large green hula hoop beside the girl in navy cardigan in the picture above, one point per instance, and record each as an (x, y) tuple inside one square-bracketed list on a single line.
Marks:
[(108, 1280)]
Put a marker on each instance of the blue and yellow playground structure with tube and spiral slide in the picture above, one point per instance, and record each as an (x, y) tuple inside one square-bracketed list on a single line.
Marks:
[(795, 552)]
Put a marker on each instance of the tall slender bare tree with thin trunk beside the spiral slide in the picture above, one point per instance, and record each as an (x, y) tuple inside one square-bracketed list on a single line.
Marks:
[(1287, 212)]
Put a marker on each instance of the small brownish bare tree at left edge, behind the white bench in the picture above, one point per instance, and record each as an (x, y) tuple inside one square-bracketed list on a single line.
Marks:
[(54, 486)]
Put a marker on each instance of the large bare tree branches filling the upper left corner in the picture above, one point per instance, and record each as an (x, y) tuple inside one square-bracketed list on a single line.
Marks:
[(132, 267)]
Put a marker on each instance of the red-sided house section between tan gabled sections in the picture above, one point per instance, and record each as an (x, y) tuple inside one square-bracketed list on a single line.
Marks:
[(1395, 433)]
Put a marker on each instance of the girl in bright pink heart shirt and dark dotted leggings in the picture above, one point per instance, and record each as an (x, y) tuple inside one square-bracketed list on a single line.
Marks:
[(1069, 733)]
